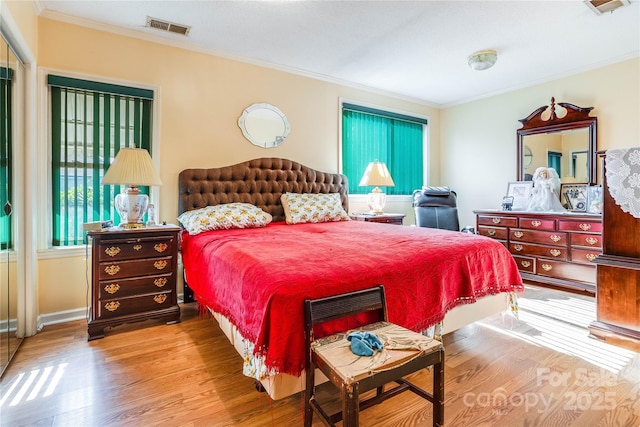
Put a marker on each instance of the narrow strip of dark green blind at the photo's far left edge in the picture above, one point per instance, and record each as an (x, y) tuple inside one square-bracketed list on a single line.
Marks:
[(6, 158)]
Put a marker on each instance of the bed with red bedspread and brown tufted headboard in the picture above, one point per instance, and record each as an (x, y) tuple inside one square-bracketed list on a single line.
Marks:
[(254, 280)]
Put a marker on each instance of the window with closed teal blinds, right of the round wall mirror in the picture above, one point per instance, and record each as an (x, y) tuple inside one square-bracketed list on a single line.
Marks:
[(369, 134)]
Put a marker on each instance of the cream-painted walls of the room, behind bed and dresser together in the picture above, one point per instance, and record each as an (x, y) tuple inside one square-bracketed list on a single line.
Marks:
[(472, 146)]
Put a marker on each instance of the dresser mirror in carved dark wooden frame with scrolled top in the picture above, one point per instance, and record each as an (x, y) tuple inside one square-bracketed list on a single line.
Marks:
[(561, 136)]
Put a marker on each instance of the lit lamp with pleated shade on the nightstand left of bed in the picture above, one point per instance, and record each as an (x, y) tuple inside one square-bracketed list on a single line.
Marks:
[(132, 167)]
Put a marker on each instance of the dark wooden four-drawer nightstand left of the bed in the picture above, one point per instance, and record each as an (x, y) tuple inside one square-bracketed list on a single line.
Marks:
[(133, 277)]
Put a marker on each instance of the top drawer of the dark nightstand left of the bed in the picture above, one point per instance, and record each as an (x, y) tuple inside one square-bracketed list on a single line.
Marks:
[(135, 248)]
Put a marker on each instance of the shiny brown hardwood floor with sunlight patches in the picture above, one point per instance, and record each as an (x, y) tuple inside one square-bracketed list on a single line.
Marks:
[(539, 370)]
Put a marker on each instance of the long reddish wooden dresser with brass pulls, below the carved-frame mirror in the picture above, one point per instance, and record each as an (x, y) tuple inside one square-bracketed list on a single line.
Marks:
[(551, 249)]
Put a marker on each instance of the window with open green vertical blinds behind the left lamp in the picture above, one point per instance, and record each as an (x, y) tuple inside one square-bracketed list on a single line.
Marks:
[(90, 122)]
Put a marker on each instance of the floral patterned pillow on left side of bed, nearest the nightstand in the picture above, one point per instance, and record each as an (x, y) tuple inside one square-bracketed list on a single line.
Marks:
[(224, 217)]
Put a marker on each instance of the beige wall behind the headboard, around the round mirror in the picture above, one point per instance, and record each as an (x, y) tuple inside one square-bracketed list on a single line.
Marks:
[(200, 99)]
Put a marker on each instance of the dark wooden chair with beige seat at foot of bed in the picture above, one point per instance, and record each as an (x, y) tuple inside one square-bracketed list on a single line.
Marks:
[(404, 352)]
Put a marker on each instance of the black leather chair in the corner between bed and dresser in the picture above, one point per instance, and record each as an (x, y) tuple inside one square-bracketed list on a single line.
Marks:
[(436, 207)]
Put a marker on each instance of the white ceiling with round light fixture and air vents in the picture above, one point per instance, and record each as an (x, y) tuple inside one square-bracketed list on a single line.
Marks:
[(412, 49)]
